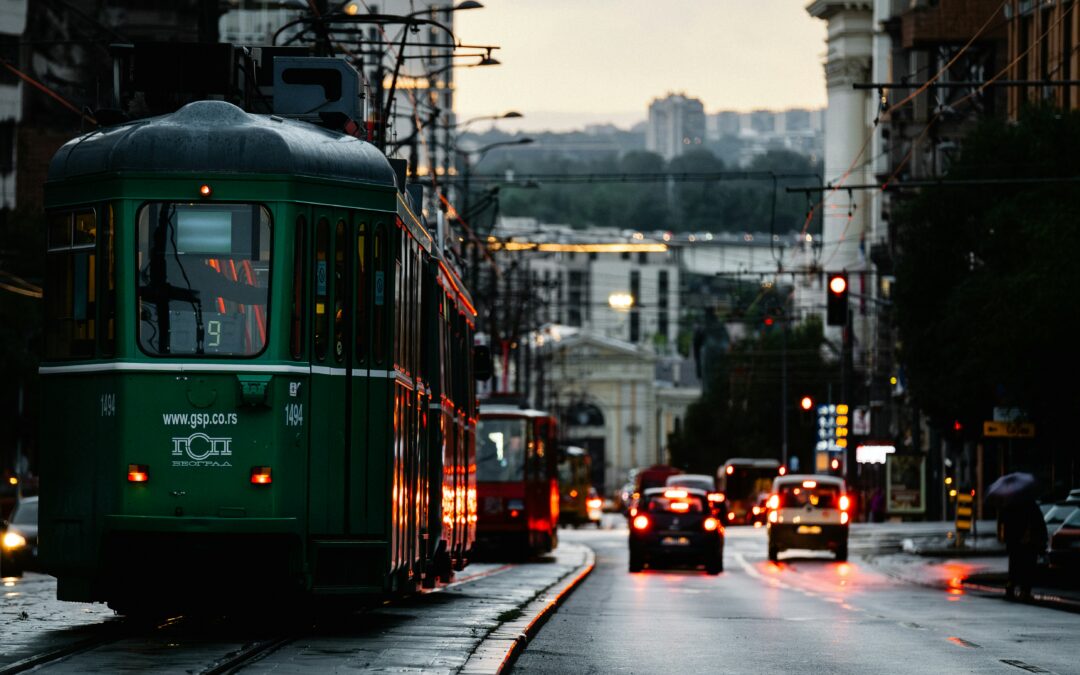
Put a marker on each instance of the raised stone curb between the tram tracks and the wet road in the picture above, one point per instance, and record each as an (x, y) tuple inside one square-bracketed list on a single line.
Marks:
[(499, 651)]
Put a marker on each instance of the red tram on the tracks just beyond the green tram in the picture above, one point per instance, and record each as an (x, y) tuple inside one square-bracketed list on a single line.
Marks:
[(517, 481)]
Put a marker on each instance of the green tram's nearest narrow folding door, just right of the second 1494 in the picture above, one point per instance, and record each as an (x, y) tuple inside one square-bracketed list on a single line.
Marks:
[(331, 271)]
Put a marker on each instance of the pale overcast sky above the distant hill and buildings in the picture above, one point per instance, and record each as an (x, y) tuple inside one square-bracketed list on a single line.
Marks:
[(571, 63)]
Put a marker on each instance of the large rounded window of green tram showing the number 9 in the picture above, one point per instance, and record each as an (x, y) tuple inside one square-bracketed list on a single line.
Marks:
[(204, 279)]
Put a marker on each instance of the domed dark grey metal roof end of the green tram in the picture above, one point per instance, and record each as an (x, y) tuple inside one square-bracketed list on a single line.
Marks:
[(217, 137)]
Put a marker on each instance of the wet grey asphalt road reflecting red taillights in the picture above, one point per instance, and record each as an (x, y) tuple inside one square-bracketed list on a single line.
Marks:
[(807, 614)]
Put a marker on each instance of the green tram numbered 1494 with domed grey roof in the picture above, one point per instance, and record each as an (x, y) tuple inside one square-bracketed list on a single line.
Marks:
[(260, 369)]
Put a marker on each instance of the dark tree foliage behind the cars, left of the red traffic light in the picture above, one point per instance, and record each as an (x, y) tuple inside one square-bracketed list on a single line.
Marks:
[(739, 414)]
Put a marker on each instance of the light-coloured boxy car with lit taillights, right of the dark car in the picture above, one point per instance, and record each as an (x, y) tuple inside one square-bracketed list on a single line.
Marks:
[(808, 511)]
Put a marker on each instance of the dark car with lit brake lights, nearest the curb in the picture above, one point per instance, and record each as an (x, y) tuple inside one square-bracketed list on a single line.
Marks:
[(676, 525)]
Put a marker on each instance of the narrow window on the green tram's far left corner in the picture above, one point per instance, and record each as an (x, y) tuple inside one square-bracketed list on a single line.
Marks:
[(71, 286)]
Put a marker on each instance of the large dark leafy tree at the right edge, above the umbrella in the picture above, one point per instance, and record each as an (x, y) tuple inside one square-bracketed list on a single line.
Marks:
[(987, 279)]
